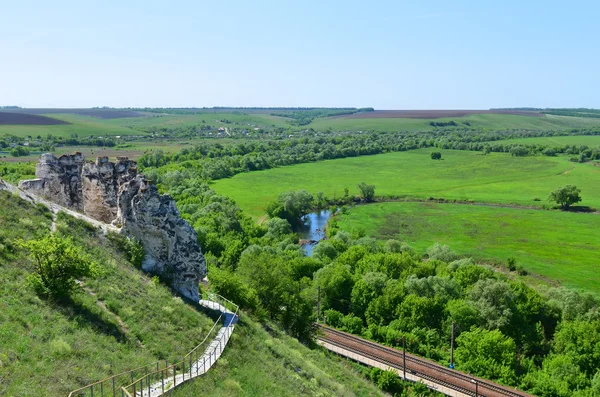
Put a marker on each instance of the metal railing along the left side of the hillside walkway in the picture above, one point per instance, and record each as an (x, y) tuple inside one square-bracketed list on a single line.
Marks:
[(113, 385)]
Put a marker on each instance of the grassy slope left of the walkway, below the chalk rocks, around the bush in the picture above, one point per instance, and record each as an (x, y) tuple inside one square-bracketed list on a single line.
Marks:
[(119, 321)]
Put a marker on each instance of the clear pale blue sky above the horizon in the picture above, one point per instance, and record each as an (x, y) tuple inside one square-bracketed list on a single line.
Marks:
[(384, 54)]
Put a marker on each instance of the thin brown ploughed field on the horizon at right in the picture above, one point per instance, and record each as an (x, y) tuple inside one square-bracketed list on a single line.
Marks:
[(434, 114)]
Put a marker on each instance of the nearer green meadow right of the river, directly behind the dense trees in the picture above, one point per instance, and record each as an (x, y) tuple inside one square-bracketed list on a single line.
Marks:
[(555, 244)]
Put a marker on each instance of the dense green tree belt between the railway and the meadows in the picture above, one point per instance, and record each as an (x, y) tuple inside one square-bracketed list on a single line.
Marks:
[(505, 330)]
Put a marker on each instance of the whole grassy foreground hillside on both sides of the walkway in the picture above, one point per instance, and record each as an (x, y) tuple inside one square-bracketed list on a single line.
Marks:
[(124, 319)]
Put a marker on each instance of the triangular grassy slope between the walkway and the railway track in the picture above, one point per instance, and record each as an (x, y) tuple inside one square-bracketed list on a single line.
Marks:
[(259, 363)]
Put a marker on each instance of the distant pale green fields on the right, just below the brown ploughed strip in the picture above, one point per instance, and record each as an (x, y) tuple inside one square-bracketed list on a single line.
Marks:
[(491, 121)]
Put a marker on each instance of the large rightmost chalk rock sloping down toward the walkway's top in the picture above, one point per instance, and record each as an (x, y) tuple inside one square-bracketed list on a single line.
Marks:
[(169, 241)]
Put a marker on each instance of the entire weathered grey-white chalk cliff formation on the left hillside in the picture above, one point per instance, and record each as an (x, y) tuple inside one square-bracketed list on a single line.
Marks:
[(115, 193)]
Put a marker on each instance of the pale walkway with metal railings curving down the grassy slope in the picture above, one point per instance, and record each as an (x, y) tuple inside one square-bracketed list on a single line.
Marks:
[(193, 364)]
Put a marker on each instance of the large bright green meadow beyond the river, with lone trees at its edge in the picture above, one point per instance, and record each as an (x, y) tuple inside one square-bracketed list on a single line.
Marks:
[(461, 175)]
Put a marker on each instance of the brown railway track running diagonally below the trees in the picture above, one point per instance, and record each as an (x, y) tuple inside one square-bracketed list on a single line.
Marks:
[(417, 366)]
